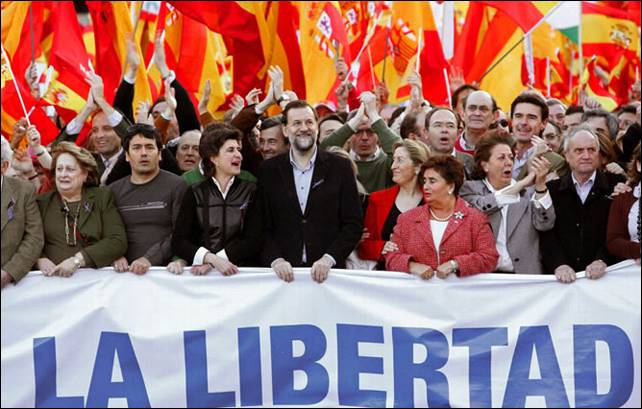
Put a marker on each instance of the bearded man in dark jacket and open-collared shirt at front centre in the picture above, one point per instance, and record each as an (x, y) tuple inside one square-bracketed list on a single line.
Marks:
[(309, 202)]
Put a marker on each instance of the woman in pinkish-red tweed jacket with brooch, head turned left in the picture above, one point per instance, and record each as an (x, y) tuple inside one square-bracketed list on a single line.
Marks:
[(444, 236)]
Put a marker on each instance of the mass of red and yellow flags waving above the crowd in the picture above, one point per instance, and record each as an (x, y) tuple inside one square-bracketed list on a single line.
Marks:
[(233, 44)]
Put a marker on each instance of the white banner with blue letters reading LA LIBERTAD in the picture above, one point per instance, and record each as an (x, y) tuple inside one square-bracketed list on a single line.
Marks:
[(360, 339)]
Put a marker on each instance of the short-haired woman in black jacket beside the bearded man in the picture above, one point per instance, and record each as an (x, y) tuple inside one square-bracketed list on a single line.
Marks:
[(209, 229)]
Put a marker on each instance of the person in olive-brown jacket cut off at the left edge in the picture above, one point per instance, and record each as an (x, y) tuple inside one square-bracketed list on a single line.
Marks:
[(22, 235)]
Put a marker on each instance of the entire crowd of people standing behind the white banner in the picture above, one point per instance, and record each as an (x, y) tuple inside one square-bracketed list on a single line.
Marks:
[(430, 190)]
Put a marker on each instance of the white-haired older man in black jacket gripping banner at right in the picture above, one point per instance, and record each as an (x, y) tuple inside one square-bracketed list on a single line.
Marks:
[(582, 201)]
